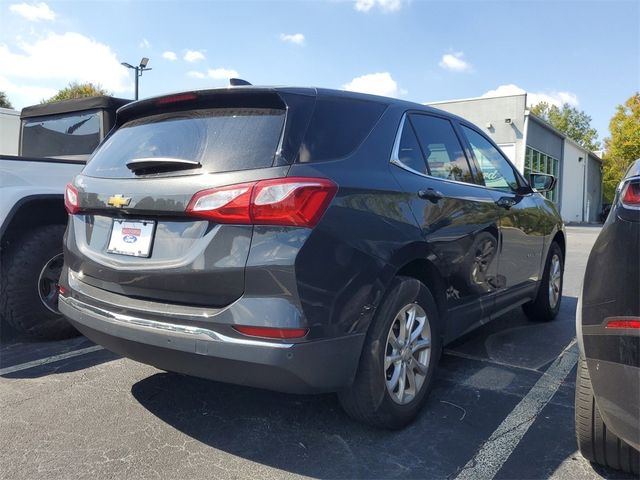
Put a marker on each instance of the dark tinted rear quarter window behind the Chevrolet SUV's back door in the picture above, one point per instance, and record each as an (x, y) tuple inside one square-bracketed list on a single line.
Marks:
[(338, 126)]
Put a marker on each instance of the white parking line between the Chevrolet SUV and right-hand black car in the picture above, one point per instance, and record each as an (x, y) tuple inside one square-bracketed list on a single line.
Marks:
[(503, 441)]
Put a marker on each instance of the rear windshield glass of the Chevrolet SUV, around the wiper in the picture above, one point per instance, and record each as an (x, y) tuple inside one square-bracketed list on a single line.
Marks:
[(221, 139)]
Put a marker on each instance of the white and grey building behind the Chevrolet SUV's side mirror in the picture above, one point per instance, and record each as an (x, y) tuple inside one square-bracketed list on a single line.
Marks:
[(535, 146)]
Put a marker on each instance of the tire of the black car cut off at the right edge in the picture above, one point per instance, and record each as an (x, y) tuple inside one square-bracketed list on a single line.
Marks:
[(595, 442)]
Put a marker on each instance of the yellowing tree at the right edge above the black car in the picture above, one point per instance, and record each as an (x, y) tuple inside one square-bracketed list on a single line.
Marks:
[(623, 146)]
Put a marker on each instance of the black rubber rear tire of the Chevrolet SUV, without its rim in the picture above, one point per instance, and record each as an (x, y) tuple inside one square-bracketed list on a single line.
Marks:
[(368, 399)]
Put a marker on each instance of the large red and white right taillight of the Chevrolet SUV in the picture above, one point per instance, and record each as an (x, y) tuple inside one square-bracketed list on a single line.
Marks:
[(292, 201)]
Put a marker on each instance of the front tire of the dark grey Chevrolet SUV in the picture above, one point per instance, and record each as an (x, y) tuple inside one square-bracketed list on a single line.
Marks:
[(542, 308)]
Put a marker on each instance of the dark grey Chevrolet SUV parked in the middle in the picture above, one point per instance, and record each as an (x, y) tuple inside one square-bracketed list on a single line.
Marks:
[(303, 240)]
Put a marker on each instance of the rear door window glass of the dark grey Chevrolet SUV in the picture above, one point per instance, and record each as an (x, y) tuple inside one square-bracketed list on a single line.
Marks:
[(442, 149)]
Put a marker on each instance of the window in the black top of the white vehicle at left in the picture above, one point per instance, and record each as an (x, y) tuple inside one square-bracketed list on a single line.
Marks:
[(58, 135)]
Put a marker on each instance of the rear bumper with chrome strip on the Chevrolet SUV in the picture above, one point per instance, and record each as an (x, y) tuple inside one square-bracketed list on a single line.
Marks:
[(308, 367)]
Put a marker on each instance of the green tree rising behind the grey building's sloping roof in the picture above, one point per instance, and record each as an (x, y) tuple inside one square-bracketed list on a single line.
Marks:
[(574, 123)]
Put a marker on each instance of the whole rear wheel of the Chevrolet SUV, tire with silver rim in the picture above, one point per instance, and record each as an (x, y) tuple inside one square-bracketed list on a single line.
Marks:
[(370, 400)]
